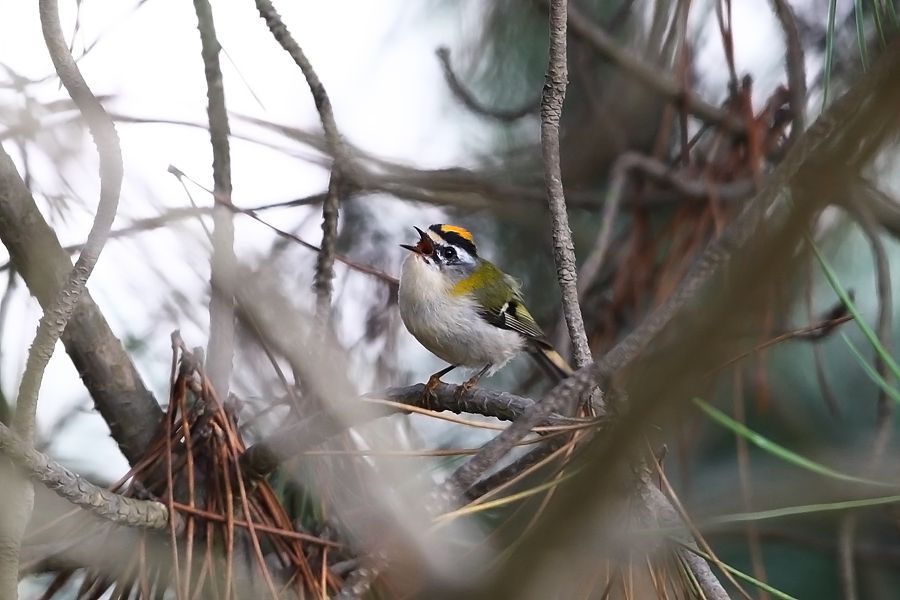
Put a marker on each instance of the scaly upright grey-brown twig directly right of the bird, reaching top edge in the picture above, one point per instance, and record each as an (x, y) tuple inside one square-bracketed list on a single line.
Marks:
[(563, 248)]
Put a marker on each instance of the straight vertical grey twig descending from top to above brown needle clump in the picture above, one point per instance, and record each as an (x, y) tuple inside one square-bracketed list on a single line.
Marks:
[(220, 349)]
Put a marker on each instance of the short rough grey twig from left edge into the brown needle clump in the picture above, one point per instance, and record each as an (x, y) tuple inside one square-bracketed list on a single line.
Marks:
[(81, 492)]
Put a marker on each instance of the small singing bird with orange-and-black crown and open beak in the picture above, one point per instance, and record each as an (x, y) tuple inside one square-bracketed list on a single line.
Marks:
[(467, 311)]
